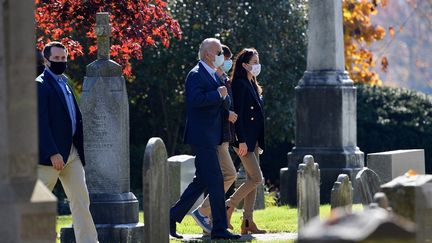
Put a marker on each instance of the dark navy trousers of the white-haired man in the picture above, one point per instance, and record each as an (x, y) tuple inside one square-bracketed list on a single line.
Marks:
[(208, 176)]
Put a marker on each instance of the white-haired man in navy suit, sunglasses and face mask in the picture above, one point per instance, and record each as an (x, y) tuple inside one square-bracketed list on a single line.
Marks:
[(206, 99)]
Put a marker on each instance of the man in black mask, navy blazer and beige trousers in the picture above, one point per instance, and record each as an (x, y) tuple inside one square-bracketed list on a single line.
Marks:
[(61, 152)]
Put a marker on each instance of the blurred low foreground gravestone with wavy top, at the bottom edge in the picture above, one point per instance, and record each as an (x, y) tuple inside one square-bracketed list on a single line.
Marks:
[(372, 225)]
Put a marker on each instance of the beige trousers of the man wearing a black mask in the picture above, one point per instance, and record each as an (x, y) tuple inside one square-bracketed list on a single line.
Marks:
[(72, 178)]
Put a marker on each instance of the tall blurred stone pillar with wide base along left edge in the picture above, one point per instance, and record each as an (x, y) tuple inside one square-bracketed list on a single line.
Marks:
[(27, 207)]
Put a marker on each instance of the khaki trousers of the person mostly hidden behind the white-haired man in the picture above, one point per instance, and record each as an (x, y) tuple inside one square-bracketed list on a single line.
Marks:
[(228, 171)]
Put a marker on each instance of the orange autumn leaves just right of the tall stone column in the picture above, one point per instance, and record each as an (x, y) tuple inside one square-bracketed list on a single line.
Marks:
[(359, 33)]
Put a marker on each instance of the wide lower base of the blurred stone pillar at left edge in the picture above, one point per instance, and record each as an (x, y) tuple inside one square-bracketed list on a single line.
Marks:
[(28, 214)]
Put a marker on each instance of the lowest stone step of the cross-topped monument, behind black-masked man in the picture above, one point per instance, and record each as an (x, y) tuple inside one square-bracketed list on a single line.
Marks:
[(110, 233)]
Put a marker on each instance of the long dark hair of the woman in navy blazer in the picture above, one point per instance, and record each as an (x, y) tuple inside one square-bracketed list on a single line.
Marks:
[(239, 72)]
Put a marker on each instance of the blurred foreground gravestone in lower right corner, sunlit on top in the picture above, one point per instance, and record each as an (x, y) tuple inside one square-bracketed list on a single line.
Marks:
[(411, 197)]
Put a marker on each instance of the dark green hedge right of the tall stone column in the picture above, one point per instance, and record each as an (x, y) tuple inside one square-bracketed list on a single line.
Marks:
[(394, 118)]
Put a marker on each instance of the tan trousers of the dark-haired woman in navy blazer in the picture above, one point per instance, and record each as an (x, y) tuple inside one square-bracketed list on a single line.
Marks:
[(247, 190)]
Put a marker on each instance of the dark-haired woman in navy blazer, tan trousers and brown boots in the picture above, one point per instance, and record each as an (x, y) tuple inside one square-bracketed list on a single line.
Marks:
[(249, 130)]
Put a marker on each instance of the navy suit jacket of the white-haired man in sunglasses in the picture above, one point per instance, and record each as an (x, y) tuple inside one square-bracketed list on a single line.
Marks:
[(204, 108)]
